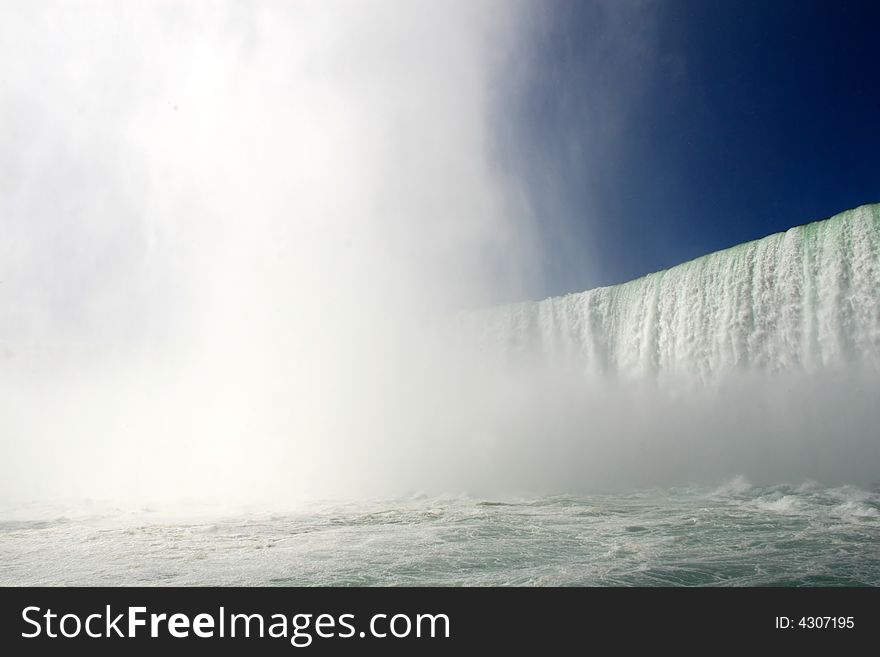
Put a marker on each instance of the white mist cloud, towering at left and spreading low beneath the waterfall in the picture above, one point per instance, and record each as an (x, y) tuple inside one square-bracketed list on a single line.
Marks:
[(237, 237)]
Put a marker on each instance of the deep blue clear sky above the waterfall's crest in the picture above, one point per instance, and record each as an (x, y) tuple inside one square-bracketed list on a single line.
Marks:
[(659, 131)]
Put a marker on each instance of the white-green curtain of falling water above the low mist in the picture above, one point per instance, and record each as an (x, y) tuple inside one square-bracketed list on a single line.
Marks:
[(804, 299)]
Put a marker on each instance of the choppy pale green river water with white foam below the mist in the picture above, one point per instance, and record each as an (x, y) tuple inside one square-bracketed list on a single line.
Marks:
[(736, 535)]
